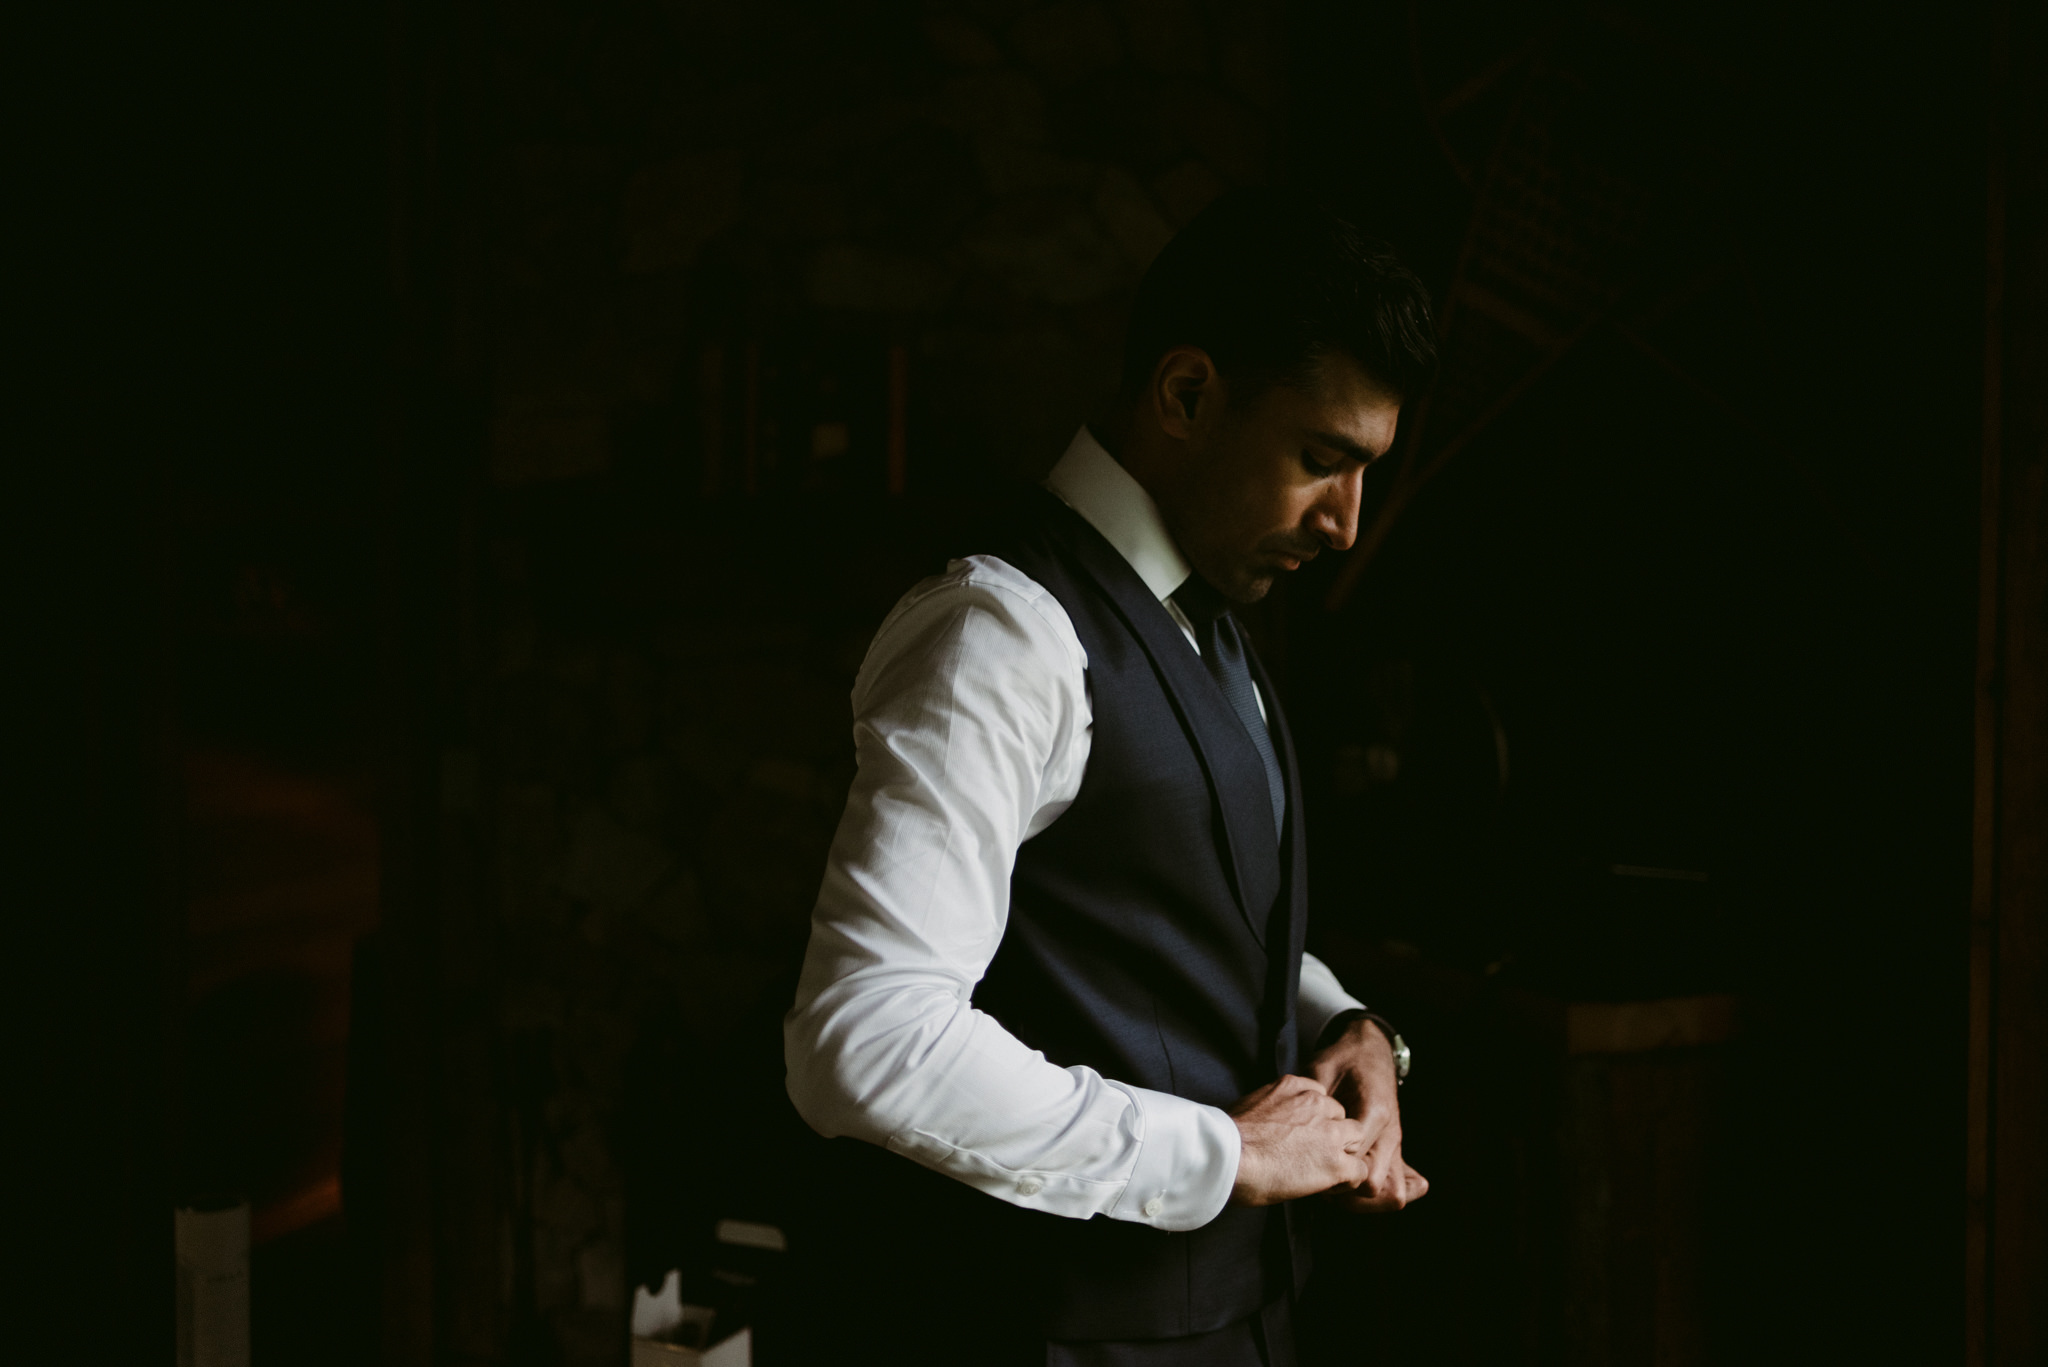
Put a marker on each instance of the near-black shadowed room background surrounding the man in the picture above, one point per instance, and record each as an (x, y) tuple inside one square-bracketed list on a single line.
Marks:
[(464, 614)]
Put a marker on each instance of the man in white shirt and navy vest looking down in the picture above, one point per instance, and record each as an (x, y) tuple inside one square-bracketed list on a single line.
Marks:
[(1058, 956)]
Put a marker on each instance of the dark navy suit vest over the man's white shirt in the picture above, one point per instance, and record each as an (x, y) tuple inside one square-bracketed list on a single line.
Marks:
[(1156, 936)]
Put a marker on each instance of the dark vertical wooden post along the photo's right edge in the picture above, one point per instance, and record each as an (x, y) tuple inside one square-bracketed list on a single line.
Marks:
[(2006, 1235)]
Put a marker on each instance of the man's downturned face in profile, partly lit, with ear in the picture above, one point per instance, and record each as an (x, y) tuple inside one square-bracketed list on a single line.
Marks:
[(1271, 483)]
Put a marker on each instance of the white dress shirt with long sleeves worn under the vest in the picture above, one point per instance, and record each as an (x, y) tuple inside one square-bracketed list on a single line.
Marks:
[(972, 727)]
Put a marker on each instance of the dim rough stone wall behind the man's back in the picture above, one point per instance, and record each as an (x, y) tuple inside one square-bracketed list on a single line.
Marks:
[(734, 255)]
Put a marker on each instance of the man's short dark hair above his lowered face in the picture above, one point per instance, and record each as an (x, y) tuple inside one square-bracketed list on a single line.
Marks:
[(1269, 284)]
